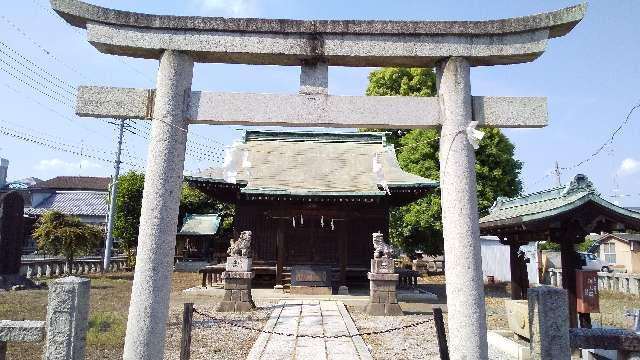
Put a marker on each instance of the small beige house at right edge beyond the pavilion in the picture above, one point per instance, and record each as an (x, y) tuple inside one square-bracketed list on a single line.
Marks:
[(621, 250)]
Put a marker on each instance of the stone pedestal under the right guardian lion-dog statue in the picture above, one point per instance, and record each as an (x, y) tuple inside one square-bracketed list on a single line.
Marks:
[(382, 295)]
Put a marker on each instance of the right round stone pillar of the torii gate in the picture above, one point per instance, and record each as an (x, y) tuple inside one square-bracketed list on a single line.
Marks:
[(466, 315)]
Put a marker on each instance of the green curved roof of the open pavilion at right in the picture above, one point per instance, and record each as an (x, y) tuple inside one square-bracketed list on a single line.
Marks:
[(549, 203)]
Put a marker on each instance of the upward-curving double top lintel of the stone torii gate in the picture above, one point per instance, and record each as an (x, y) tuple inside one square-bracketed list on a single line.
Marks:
[(336, 42)]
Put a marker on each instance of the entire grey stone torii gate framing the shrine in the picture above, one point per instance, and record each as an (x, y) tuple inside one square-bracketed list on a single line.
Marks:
[(452, 47)]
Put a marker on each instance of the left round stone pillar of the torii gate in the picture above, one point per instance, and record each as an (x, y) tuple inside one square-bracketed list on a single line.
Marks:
[(146, 325)]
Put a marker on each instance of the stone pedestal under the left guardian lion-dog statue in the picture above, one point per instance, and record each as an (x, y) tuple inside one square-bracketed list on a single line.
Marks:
[(237, 291)]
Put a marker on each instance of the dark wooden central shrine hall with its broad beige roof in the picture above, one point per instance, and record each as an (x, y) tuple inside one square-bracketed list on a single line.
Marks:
[(312, 198)]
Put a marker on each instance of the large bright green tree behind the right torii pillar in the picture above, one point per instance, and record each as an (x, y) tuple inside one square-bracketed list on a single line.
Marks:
[(418, 226)]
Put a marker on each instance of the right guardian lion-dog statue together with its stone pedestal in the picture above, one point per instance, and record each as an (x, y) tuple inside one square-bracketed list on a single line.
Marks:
[(382, 281)]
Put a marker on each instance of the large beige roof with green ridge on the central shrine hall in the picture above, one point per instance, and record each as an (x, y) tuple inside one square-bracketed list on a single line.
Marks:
[(314, 163)]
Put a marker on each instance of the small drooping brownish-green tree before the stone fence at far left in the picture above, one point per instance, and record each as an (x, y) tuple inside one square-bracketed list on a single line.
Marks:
[(59, 234)]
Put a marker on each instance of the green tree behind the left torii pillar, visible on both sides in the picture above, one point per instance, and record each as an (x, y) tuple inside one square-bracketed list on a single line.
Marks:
[(129, 205)]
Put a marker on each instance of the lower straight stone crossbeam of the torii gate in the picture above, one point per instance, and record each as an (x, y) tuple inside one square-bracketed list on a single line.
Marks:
[(311, 110)]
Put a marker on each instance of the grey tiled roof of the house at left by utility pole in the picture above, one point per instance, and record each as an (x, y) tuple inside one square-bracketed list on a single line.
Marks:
[(87, 203)]
